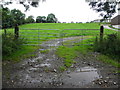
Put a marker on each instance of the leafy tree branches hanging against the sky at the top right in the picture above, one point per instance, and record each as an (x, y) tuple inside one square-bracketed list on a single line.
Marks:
[(107, 9)]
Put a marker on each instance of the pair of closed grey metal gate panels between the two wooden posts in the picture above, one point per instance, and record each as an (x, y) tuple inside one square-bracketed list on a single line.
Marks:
[(57, 36)]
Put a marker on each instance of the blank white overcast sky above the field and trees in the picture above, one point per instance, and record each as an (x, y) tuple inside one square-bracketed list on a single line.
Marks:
[(64, 10)]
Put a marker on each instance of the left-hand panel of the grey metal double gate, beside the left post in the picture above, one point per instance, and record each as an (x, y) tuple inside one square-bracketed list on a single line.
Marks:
[(35, 37)]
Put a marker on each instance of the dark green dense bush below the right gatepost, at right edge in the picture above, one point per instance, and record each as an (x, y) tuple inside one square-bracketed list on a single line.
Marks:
[(110, 45)]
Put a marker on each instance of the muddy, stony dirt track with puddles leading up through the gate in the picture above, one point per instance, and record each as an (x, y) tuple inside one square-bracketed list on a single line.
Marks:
[(43, 71)]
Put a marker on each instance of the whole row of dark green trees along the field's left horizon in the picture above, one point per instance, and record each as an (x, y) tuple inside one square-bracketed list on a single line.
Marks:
[(12, 17)]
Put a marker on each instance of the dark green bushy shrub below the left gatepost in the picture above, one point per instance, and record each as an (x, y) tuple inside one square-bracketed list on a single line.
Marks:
[(10, 44)]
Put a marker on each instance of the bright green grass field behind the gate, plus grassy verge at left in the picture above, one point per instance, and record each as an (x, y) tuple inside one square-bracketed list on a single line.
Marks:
[(32, 35)]
